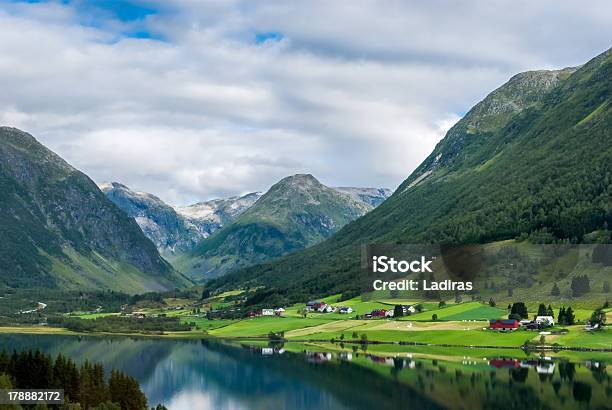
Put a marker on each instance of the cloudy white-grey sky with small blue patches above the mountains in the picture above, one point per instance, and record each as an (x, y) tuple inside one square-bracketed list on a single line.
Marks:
[(193, 99)]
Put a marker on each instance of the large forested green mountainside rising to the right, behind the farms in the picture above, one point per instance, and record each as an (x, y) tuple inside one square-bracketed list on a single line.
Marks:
[(532, 160)]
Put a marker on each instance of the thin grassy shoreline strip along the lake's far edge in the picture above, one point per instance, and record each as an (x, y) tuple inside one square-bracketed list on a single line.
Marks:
[(54, 331)]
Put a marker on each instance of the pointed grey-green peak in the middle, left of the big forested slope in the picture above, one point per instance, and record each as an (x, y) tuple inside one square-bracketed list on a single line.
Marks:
[(295, 213)]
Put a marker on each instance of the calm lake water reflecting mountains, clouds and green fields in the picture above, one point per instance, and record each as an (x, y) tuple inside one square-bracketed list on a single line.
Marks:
[(212, 375)]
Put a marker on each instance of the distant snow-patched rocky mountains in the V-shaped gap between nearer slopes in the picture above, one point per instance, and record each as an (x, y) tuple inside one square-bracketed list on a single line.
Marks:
[(175, 230)]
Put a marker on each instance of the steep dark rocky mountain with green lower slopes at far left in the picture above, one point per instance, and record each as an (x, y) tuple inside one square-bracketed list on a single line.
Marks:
[(59, 230)]
